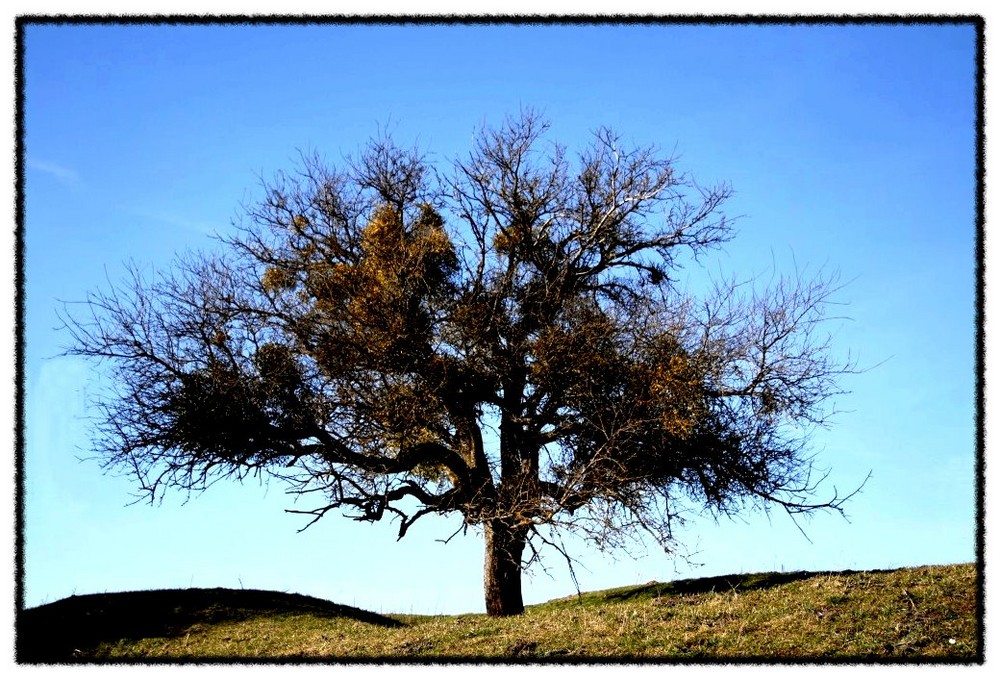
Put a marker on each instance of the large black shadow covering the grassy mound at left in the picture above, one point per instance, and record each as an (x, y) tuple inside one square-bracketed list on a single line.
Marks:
[(60, 631)]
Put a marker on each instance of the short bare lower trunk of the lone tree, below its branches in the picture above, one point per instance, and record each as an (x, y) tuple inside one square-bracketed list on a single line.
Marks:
[(502, 572)]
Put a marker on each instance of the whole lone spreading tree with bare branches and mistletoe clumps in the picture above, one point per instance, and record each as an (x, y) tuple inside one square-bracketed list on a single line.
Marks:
[(505, 342)]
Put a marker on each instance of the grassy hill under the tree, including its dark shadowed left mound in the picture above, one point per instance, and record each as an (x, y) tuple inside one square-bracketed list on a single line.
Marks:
[(923, 613)]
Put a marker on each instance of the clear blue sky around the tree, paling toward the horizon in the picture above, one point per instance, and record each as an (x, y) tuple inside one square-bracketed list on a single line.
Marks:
[(849, 148)]
